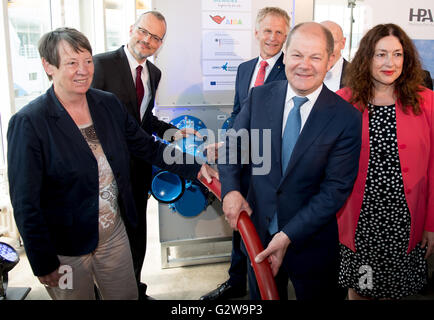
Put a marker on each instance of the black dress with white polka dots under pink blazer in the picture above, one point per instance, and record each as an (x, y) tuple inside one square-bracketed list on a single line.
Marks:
[(381, 267)]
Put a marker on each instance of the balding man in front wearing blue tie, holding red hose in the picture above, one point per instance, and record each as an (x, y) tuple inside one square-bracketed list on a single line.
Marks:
[(305, 178)]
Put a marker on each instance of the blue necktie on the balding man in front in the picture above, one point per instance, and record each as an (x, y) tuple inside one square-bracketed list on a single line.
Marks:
[(289, 139)]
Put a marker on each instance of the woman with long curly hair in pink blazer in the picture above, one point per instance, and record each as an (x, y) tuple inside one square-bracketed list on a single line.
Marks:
[(386, 227)]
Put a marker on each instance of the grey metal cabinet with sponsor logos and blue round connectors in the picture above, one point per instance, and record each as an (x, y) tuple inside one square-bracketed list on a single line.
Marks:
[(205, 42)]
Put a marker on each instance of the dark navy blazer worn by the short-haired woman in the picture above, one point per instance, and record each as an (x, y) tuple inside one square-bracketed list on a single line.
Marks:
[(53, 174)]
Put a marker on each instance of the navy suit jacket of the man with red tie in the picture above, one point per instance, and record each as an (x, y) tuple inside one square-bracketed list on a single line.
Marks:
[(244, 76)]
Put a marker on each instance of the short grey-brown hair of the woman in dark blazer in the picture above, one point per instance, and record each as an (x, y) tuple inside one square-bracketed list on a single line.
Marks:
[(48, 45)]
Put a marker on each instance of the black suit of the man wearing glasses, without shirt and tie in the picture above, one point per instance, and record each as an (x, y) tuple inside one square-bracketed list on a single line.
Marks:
[(113, 74)]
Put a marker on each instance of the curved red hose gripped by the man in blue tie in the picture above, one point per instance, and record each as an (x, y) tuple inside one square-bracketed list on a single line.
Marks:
[(264, 276)]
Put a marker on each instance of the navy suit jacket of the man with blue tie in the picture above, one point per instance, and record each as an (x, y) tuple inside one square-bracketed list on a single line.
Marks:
[(318, 179)]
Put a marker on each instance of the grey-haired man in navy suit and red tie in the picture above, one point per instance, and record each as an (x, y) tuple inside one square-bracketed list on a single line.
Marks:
[(272, 27)]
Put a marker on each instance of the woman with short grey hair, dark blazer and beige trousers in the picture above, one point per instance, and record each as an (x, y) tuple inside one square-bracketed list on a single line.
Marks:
[(68, 168)]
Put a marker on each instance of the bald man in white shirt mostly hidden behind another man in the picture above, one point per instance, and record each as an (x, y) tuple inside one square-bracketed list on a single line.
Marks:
[(335, 76)]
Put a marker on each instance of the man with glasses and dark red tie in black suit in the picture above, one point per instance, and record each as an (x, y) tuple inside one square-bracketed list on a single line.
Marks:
[(128, 74)]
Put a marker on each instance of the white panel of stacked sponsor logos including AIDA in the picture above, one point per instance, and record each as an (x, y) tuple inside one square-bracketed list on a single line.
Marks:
[(226, 41)]
